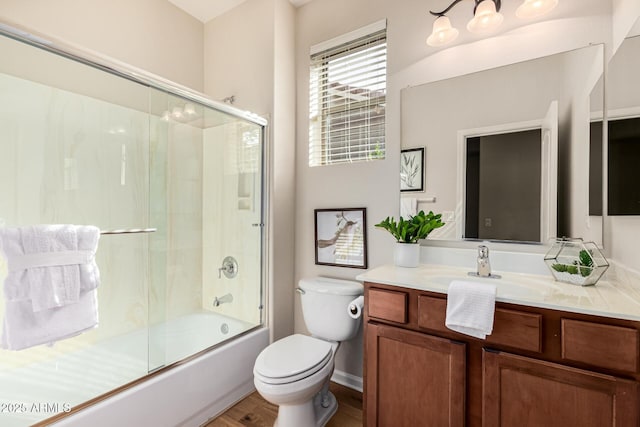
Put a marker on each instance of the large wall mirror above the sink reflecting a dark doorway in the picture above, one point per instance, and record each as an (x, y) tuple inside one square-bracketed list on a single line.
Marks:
[(508, 148)]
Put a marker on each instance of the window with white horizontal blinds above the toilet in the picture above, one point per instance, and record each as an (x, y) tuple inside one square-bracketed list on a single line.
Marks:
[(347, 95)]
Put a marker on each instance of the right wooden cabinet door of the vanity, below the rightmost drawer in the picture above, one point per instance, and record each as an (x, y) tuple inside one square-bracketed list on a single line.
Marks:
[(519, 391)]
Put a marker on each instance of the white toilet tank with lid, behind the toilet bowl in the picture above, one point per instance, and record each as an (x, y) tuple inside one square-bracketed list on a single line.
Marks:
[(324, 307)]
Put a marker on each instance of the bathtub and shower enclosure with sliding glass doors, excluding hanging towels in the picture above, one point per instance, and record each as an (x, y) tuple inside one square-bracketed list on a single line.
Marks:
[(176, 184)]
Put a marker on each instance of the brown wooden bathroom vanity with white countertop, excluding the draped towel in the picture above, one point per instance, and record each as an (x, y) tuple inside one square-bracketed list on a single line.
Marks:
[(559, 355)]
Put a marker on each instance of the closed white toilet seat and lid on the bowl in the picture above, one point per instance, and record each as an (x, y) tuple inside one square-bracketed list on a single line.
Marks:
[(291, 359)]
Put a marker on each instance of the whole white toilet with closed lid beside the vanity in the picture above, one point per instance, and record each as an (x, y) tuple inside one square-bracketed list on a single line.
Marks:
[(294, 372)]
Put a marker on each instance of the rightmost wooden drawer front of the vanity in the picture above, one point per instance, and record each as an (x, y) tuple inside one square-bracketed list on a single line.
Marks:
[(606, 346)]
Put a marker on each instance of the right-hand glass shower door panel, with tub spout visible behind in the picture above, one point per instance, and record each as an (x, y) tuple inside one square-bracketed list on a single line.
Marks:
[(206, 202)]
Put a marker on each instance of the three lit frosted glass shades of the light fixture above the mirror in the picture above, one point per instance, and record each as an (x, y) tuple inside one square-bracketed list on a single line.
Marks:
[(486, 18)]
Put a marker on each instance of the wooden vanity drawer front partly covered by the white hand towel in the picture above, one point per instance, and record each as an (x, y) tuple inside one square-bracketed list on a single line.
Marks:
[(511, 328)]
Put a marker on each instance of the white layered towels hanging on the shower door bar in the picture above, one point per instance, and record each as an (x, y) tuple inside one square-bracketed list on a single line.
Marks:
[(50, 287)]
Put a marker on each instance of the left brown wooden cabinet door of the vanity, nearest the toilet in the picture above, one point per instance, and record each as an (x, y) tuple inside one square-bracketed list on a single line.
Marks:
[(413, 379)]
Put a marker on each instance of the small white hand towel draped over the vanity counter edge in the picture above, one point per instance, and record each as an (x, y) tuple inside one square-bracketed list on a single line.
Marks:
[(470, 308)]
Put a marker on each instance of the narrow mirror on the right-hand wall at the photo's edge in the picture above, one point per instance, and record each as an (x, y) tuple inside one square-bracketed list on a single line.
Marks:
[(622, 196)]
